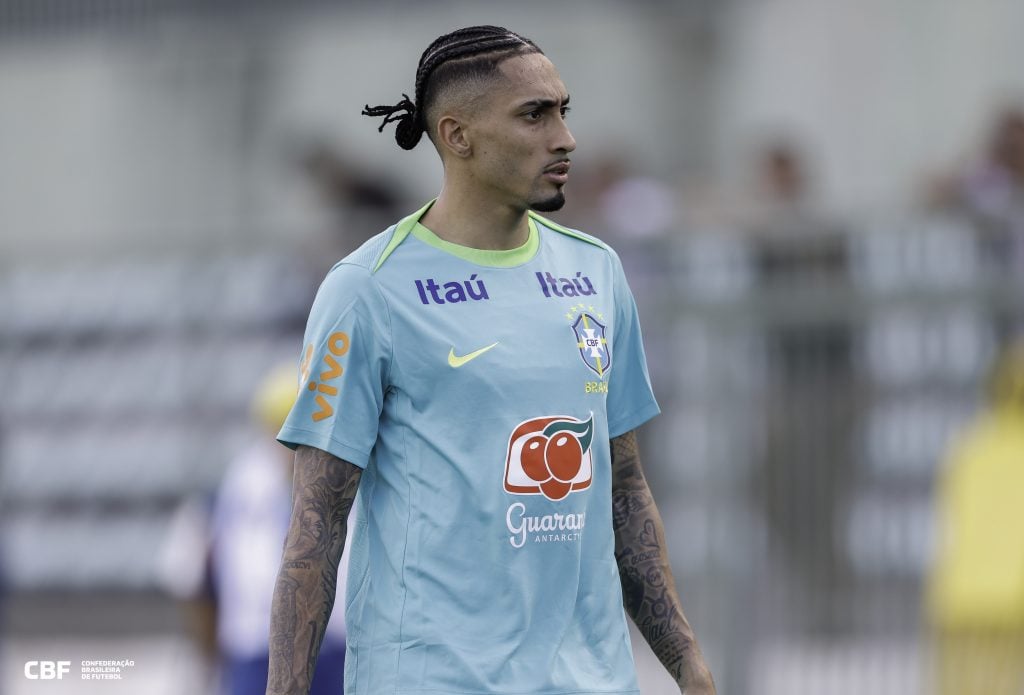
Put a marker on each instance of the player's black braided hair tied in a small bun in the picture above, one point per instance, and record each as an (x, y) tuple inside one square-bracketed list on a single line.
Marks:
[(465, 54)]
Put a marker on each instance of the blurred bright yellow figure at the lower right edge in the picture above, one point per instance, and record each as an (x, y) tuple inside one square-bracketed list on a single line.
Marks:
[(975, 596)]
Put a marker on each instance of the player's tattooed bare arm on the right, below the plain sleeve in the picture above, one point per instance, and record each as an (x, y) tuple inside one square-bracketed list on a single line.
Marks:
[(649, 588)]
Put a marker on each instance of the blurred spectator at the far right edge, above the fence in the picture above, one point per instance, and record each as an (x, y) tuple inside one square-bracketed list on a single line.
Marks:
[(992, 192)]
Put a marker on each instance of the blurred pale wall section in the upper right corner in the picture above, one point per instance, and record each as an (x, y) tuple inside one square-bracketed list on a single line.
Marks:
[(884, 92)]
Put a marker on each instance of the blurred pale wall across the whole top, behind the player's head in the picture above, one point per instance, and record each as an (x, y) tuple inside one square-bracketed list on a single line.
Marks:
[(179, 135)]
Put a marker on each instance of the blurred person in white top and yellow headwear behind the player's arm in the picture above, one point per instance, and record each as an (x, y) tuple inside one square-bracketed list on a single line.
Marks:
[(226, 569)]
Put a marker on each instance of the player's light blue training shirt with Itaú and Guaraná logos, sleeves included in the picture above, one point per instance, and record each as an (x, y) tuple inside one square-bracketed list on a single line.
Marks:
[(479, 390)]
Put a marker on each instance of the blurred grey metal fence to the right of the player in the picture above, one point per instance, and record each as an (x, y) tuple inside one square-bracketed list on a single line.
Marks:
[(810, 385)]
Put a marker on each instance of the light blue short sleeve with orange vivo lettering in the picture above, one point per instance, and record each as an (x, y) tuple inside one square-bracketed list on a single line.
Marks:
[(344, 369)]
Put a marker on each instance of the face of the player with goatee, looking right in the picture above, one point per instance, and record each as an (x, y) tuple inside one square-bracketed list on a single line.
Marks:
[(520, 138)]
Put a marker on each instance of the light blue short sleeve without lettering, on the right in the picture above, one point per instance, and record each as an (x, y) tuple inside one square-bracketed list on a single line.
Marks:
[(631, 401)]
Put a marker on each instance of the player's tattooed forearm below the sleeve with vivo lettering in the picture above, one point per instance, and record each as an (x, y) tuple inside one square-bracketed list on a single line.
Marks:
[(324, 490)]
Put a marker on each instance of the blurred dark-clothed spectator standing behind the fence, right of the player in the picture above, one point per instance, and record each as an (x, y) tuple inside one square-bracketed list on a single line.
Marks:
[(804, 483)]
